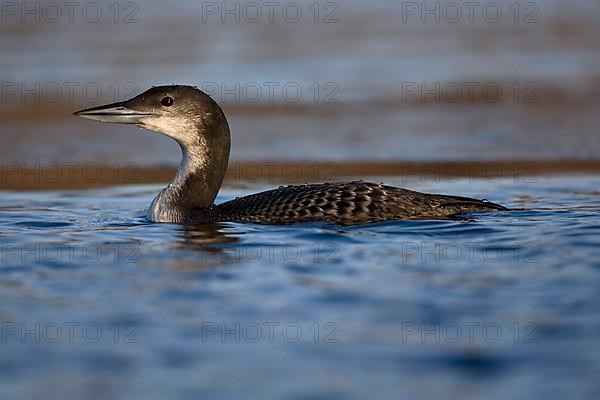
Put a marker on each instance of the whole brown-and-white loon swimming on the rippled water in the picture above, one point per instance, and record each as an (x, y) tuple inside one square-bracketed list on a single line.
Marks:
[(198, 124)]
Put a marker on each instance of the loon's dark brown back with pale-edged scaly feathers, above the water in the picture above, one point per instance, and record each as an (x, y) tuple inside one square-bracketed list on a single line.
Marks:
[(342, 203)]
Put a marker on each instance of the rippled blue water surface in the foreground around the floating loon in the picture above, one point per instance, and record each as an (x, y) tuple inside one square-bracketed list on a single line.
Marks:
[(95, 302)]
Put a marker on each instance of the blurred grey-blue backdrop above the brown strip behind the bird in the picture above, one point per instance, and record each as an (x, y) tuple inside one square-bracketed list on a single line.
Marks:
[(343, 81)]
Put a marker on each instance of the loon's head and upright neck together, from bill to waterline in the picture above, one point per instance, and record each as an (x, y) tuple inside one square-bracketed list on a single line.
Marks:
[(197, 123)]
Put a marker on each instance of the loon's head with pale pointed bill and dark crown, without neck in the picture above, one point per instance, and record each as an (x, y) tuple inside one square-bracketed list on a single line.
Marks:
[(183, 113)]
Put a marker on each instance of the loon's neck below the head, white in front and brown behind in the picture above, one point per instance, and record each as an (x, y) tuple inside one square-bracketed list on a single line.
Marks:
[(197, 181)]
